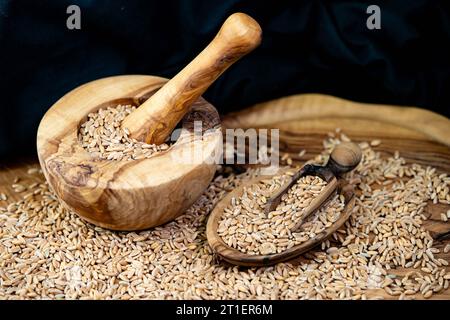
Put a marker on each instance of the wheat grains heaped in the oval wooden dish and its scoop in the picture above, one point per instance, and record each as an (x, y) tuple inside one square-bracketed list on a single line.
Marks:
[(245, 226)]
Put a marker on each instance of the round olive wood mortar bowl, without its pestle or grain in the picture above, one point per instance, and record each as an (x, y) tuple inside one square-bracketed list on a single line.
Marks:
[(154, 190)]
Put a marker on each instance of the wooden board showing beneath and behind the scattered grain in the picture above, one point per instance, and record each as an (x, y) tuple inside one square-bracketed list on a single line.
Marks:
[(304, 121)]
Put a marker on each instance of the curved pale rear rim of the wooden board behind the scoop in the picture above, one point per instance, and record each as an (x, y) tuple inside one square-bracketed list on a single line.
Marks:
[(317, 107)]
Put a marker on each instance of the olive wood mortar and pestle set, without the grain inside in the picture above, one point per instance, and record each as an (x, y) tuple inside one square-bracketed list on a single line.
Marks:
[(134, 195)]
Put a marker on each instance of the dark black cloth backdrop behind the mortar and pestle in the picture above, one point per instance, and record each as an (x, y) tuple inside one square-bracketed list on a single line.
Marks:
[(308, 46)]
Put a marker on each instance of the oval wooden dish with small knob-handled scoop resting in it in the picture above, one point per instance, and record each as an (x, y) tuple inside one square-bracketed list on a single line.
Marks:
[(344, 158)]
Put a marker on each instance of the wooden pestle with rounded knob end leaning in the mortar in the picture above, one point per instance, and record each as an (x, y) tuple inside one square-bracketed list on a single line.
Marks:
[(156, 118)]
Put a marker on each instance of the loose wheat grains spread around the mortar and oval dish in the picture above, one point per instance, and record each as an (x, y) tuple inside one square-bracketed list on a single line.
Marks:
[(48, 252)]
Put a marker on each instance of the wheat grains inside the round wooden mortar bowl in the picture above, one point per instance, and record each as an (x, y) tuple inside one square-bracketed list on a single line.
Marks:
[(102, 136)]
